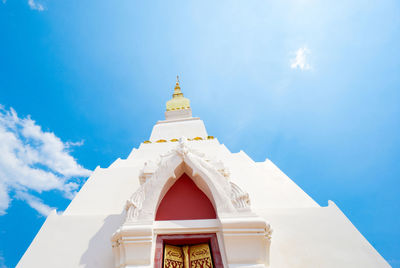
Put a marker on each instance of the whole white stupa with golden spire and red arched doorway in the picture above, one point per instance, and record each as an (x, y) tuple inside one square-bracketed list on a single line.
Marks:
[(182, 199)]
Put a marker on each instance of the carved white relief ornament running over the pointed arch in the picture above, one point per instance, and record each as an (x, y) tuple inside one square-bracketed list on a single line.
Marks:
[(214, 173)]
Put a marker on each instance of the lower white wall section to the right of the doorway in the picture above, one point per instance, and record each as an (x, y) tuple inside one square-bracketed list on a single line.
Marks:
[(318, 237)]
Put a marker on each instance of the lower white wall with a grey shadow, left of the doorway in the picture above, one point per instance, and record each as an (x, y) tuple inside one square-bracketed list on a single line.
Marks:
[(73, 241)]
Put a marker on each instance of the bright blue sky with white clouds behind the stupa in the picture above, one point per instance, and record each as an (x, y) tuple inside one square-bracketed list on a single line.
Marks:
[(312, 85)]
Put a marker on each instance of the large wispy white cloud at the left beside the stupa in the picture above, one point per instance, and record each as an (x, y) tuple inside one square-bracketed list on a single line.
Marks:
[(32, 160)]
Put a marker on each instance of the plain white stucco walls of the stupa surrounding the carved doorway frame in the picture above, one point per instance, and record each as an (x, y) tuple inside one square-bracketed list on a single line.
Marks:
[(304, 234)]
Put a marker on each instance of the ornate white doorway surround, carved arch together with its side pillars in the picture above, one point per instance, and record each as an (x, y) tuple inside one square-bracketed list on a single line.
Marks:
[(237, 226)]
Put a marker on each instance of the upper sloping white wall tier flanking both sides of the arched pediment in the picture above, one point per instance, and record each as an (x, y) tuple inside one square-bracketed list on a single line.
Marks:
[(107, 190)]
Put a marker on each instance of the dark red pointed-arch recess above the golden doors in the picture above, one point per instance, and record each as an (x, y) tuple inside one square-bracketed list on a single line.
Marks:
[(185, 201)]
